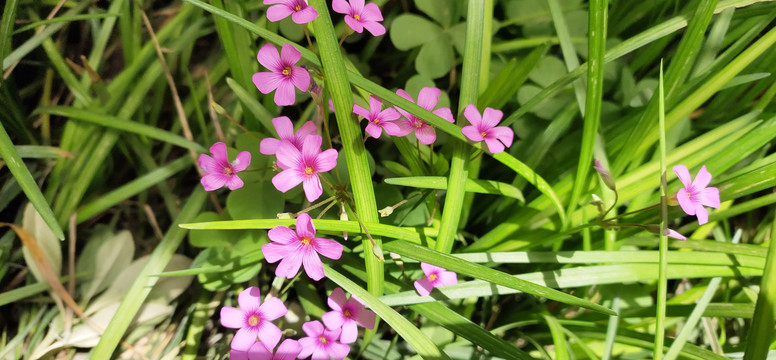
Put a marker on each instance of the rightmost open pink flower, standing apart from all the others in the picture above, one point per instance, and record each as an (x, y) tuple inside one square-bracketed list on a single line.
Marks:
[(694, 195)]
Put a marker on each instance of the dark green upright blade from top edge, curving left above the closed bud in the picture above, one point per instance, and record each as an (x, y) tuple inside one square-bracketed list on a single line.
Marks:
[(597, 18)]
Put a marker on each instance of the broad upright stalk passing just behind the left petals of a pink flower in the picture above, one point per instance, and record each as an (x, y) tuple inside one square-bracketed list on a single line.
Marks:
[(459, 172)]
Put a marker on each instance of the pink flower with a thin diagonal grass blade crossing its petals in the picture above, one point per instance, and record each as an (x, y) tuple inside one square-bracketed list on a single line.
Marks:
[(427, 99)]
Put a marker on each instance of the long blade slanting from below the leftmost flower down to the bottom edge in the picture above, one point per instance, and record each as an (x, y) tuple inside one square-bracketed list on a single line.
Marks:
[(141, 287)]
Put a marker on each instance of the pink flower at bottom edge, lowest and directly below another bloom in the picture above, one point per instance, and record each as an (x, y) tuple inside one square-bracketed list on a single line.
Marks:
[(322, 343)]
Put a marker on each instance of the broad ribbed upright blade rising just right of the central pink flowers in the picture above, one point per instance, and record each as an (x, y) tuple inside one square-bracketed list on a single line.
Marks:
[(338, 87)]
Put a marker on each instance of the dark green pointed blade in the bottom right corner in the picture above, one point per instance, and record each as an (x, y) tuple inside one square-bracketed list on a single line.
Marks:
[(761, 333)]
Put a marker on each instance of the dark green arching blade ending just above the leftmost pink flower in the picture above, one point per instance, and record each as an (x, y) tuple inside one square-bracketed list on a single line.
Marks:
[(116, 123)]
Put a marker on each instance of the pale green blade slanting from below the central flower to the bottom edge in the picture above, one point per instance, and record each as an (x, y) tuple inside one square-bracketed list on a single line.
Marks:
[(414, 337)]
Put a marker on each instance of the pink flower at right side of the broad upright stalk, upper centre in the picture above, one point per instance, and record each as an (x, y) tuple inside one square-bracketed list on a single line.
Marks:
[(484, 128)]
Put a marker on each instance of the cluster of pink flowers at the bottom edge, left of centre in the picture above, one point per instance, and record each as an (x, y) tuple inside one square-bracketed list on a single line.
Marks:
[(258, 335)]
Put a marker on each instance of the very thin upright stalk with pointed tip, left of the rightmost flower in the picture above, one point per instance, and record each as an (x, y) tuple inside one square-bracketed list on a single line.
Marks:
[(662, 284)]
